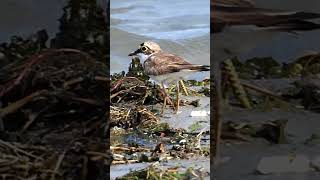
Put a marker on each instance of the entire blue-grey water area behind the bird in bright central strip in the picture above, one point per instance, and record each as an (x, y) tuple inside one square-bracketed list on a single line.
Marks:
[(180, 27)]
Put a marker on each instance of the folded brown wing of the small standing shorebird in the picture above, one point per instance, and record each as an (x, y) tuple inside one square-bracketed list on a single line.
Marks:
[(163, 63)]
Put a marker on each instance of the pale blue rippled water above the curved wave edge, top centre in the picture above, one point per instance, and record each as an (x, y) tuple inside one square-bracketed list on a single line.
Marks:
[(162, 19)]
